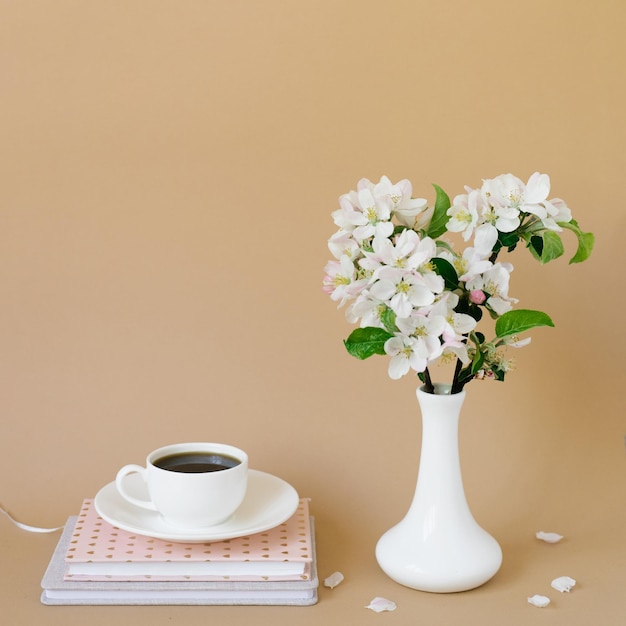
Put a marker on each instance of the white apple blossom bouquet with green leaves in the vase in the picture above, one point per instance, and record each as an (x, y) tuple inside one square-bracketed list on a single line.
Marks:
[(420, 300)]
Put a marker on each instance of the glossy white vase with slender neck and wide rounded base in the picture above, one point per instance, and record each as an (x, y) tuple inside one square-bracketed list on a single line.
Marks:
[(438, 546)]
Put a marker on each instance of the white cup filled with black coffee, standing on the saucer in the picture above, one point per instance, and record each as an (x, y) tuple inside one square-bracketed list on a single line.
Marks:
[(185, 489)]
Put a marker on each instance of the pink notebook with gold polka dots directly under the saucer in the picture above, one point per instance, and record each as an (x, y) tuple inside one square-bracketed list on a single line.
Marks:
[(99, 551)]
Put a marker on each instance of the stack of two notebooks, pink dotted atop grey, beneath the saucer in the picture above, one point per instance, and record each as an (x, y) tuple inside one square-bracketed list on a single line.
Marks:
[(97, 563)]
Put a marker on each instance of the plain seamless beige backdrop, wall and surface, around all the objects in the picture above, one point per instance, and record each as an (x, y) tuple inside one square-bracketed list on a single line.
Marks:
[(167, 174)]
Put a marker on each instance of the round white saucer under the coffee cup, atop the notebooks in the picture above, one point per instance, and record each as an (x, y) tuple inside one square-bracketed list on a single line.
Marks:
[(269, 501)]
